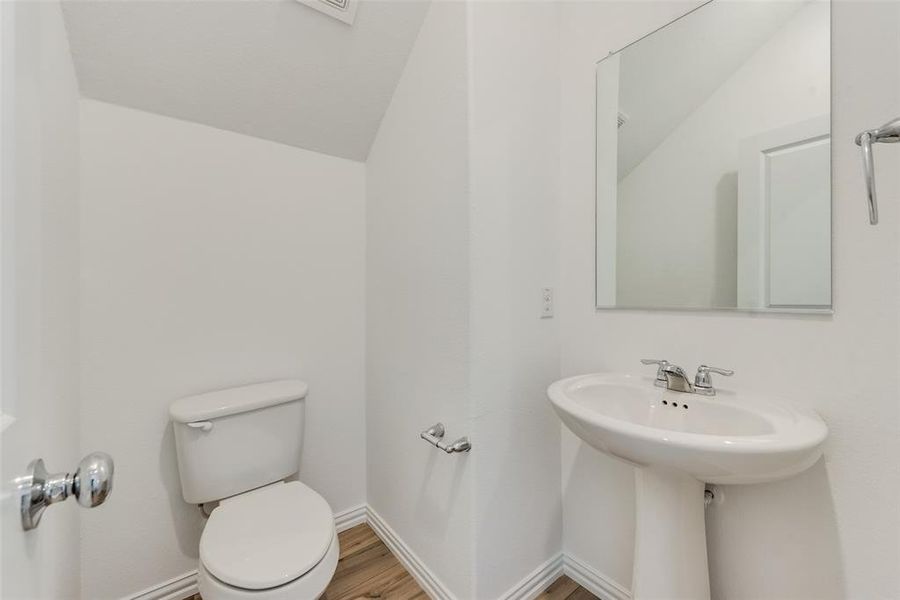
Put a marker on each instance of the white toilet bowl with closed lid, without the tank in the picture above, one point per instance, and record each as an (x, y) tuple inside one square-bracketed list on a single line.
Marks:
[(274, 543)]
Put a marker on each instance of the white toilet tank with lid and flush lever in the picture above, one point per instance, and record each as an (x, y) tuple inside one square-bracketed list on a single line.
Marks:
[(234, 440)]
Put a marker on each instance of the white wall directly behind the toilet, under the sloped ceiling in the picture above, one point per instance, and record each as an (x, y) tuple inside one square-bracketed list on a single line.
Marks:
[(209, 259)]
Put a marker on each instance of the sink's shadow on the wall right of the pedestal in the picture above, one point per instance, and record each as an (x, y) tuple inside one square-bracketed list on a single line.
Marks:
[(787, 530)]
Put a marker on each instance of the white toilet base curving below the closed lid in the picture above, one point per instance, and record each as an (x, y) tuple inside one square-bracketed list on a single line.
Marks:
[(310, 585)]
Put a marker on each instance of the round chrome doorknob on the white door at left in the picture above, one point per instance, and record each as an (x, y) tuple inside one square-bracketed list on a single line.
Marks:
[(91, 485)]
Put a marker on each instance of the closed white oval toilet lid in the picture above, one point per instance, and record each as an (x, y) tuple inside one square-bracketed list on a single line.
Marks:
[(268, 537)]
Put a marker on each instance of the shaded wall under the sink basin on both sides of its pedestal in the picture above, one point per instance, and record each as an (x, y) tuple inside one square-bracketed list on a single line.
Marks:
[(777, 541)]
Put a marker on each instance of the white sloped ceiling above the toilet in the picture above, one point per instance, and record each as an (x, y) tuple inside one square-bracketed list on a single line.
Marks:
[(274, 69)]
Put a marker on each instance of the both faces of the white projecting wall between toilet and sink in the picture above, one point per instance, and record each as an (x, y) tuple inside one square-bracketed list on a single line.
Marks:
[(462, 184)]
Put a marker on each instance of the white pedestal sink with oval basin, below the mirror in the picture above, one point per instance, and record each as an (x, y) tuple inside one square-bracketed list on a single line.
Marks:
[(679, 442)]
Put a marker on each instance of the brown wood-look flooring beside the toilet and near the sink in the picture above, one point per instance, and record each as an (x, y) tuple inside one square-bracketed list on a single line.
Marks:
[(367, 570)]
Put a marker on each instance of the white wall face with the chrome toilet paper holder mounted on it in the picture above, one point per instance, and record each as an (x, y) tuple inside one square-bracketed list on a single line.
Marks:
[(418, 288)]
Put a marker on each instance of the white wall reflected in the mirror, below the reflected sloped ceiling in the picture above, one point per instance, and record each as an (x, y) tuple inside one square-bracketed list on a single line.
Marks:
[(662, 211)]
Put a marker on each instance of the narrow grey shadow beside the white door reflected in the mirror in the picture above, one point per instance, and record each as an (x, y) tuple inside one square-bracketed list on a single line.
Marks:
[(725, 242)]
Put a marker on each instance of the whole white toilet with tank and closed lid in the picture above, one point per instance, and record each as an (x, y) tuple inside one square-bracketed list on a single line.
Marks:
[(268, 539)]
